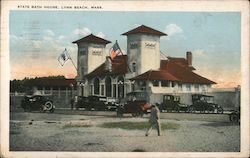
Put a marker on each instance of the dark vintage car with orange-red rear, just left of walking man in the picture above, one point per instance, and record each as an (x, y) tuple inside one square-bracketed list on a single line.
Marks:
[(135, 104)]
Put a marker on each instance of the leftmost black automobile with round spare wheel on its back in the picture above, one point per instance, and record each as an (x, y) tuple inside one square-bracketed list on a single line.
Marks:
[(37, 103)]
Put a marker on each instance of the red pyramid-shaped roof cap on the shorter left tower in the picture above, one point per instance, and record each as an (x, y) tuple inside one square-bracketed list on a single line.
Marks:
[(92, 39)]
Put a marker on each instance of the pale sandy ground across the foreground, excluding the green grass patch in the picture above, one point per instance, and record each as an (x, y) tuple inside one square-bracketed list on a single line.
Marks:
[(46, 133)]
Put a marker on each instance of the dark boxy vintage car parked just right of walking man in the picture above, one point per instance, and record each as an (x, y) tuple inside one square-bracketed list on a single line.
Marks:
[(171, 103)]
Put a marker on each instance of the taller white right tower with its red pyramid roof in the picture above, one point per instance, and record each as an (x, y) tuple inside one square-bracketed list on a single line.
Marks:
[(143, 49)]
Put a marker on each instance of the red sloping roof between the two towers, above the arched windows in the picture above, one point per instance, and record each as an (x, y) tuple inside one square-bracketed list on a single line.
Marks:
[(119, 67)]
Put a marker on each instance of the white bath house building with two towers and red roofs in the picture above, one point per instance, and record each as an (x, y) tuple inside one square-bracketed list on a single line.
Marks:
[(142, 69)]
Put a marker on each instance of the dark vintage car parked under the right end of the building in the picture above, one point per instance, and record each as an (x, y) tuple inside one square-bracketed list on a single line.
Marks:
[(204, 103)]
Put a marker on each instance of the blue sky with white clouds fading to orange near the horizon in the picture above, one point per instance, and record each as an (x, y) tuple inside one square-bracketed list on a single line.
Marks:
[(37, 38)]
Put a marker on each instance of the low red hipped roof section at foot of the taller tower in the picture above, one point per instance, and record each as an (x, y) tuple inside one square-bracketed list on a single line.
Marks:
[(156, 75)]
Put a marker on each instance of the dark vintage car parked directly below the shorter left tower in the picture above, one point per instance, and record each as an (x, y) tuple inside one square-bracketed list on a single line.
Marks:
[(92, 103)]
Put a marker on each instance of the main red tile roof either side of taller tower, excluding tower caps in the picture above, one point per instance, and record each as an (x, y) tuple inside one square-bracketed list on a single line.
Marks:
[(173, 69)]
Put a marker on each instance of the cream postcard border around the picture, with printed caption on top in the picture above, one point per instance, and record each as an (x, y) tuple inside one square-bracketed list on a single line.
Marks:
[(140, 5)]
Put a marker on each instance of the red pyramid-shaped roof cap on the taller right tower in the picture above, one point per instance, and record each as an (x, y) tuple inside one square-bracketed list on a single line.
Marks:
[(145, 30)]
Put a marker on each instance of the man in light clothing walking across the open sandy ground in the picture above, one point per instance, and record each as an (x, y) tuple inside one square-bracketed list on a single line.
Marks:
[(154, 120)]
